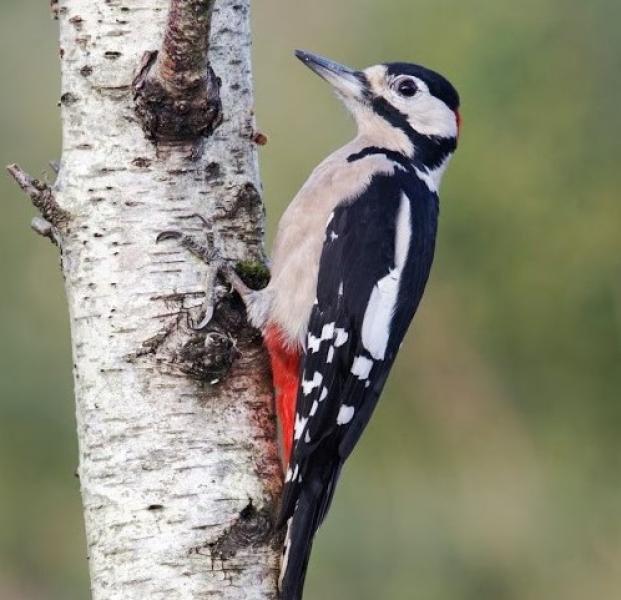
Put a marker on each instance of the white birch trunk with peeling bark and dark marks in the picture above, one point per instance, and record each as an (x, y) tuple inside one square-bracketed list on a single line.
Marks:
[(178, 461)]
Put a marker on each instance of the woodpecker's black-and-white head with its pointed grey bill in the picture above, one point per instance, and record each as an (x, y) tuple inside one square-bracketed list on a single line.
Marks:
[(401, 106)]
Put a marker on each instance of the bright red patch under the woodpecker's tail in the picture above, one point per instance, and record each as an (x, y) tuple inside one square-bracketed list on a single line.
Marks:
[(285, 372)]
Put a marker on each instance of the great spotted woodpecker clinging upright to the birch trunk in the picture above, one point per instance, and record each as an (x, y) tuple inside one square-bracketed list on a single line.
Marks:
[(349, 266)]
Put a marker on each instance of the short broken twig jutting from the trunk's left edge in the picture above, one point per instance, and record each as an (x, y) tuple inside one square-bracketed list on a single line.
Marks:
[(53, 217)]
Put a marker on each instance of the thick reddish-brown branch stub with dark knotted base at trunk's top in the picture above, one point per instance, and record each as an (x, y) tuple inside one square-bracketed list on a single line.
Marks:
[(177, 93)]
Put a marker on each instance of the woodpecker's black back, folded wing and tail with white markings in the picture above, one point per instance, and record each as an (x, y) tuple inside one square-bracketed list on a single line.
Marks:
[(377, 248)]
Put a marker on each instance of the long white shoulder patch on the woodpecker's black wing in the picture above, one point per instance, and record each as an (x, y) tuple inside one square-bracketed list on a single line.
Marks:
[(383, 300)]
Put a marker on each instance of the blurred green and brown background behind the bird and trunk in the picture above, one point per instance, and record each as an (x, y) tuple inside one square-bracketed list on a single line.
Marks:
[(492, 470)]
